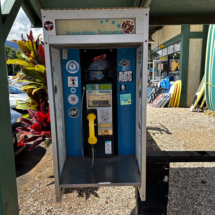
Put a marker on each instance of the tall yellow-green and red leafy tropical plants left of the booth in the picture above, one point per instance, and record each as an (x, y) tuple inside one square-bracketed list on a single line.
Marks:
[(32, 64)]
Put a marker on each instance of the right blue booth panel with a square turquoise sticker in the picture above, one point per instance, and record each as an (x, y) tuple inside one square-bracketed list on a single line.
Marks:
[(126, 61)]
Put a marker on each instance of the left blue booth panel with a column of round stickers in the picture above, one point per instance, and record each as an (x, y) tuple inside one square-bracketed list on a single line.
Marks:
[(72, 89)]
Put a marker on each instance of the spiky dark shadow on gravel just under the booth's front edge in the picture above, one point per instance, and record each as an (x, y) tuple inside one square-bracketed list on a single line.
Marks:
[(85, 191)]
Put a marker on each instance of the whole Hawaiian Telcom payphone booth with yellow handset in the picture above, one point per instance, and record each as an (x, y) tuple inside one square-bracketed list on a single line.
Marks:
[(96, 62)]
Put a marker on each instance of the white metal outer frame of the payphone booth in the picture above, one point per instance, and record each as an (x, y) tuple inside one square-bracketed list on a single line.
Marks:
[(140, 38)]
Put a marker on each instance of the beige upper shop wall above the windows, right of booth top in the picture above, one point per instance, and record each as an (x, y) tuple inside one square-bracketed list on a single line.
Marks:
[(165, 34)]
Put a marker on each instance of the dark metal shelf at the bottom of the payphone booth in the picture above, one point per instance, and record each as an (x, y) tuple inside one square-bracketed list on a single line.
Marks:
[(109, 171)]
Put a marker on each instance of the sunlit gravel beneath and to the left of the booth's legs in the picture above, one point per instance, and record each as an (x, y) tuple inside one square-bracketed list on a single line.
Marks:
[(38, 197)]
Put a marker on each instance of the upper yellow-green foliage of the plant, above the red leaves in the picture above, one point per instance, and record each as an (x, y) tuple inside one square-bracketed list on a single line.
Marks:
[(33, 72)]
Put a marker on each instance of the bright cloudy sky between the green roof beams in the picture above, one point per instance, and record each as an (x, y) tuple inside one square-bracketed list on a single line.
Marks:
[(22, 25)]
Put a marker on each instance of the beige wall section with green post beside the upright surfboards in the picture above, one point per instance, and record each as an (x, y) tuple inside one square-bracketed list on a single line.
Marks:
[(192, 62)]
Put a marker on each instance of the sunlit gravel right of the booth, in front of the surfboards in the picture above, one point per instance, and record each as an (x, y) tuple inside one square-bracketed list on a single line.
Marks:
[(178, 129)]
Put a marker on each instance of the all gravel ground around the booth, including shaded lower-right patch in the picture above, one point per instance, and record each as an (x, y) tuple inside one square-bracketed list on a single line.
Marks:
[(191, 186)]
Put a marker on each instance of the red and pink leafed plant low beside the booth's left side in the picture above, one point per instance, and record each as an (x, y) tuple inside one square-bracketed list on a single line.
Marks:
[(38, 126)]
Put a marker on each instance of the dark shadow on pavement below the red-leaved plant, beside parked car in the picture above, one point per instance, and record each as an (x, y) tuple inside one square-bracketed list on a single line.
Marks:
[(27, 160)]
